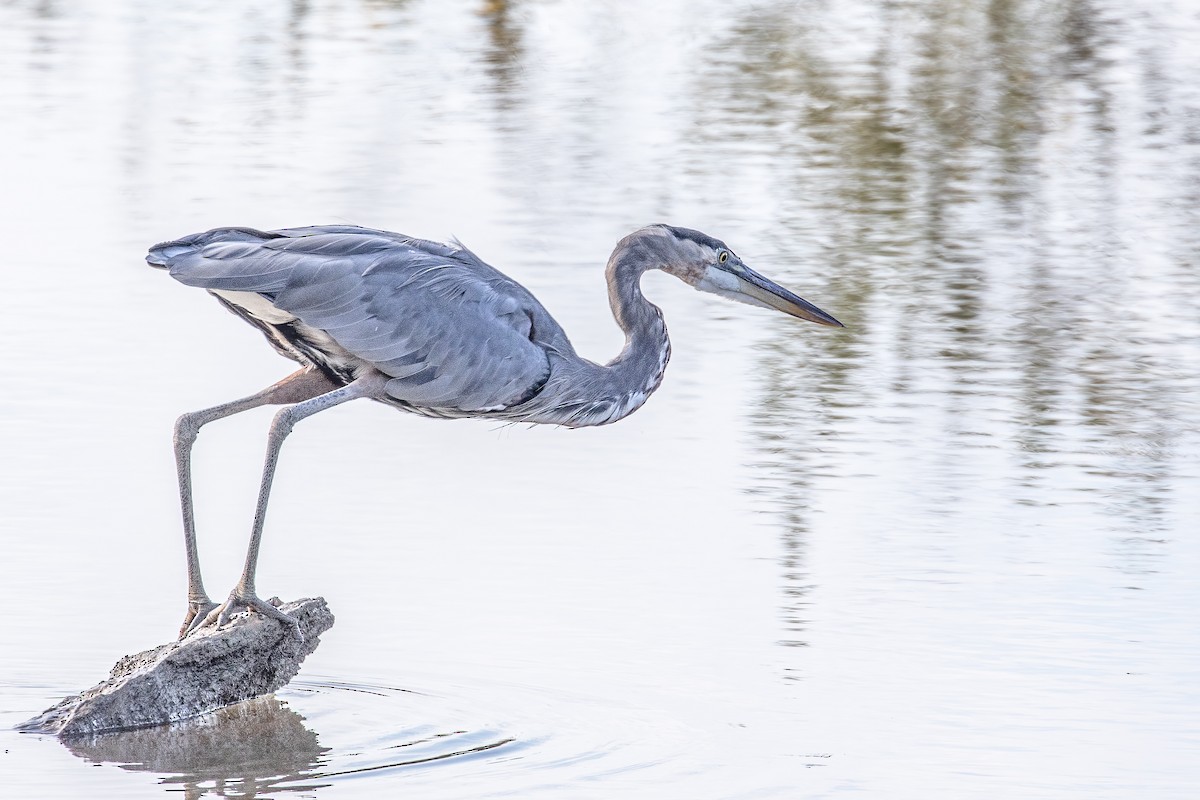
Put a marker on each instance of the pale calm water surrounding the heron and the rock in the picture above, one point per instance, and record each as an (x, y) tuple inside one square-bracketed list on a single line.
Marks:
[(951, 551)]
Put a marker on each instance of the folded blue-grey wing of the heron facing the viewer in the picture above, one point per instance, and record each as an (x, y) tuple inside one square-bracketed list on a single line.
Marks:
[(449, 330)]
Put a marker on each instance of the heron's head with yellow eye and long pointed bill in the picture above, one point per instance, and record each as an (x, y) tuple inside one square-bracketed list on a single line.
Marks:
[(710, 266)]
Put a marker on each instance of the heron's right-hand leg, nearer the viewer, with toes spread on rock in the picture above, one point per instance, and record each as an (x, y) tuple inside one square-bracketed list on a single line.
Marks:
[(244, 594)]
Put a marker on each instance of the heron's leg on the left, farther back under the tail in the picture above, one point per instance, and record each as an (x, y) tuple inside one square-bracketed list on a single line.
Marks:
[(296, 388)]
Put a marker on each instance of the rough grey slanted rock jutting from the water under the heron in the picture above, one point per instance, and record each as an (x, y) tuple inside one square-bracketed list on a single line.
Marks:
[(253, 655)]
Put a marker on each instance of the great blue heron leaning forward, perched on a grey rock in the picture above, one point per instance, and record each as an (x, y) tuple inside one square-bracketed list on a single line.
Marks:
[(431, 329)]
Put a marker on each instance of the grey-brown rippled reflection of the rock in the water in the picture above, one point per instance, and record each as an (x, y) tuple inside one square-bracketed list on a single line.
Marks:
[(242, 751)]
